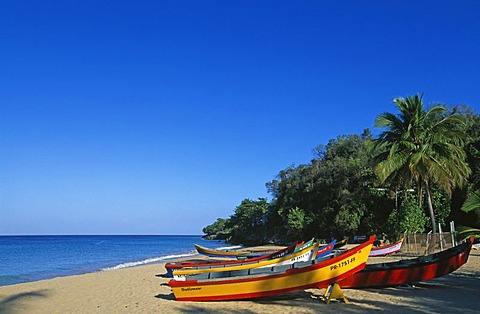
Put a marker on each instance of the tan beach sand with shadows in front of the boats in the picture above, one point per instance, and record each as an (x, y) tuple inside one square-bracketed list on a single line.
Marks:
[(143, 289)]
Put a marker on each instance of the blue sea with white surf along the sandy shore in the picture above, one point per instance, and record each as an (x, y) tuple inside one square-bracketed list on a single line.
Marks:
[(32, 258)]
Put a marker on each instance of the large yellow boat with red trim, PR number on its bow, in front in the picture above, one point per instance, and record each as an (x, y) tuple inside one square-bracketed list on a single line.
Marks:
[(299, 276)]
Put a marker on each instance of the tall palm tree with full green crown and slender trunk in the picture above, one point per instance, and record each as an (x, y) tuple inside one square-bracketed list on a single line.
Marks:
[(421, 146)]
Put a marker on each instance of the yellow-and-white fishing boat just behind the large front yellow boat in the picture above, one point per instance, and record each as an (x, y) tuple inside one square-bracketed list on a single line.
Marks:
[(304, 253)]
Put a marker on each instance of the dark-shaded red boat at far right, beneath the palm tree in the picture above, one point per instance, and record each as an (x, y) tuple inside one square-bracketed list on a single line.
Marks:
[(410, 270)]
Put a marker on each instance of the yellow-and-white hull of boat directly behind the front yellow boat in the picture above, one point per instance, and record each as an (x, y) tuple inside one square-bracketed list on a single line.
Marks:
[(304, 253)]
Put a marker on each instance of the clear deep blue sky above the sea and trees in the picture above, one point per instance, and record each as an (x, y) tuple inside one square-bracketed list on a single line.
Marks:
[(158, 117)]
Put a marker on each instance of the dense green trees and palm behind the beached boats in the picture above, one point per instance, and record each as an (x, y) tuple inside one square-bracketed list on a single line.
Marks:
[(415, 174)]
